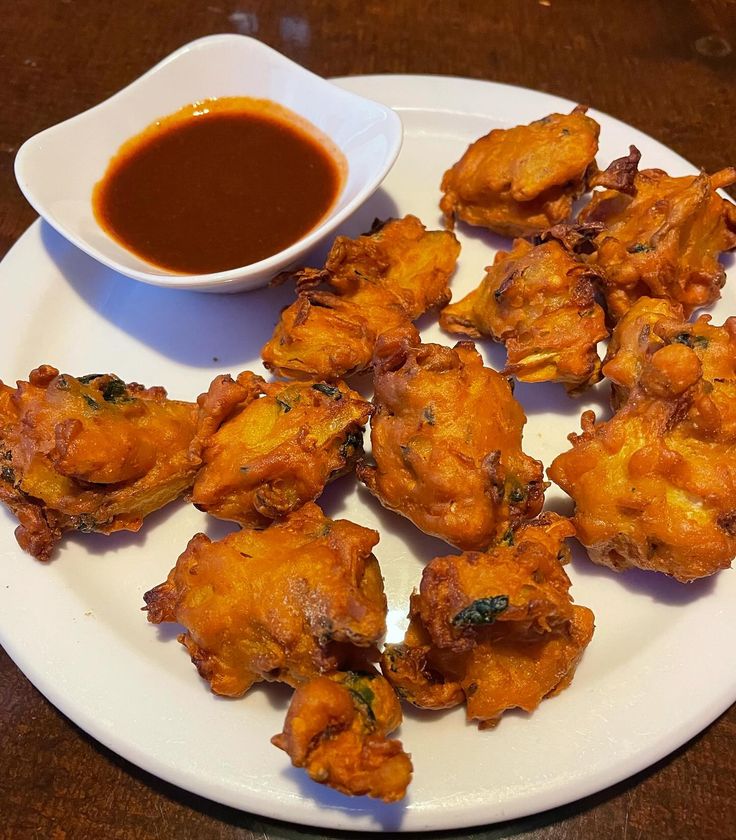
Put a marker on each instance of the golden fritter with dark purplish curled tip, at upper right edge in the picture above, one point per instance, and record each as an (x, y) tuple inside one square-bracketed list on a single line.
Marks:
[(661, 235)]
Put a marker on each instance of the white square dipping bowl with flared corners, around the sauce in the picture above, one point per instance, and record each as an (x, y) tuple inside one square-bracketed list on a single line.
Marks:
[(58, 168)]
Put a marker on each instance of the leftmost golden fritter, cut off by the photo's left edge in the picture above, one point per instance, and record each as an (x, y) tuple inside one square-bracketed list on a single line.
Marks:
[(89, 453)]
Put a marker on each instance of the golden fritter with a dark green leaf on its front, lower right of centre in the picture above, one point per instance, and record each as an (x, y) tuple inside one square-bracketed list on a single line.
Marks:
[(496, 630)]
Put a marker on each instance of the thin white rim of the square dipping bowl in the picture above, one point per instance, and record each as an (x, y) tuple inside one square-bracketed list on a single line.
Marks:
[(393, 131)]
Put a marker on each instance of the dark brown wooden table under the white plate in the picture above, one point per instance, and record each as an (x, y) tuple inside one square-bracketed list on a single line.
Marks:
[(667, 67)]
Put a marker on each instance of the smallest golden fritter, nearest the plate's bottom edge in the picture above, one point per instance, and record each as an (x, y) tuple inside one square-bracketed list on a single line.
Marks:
[(337, 728)]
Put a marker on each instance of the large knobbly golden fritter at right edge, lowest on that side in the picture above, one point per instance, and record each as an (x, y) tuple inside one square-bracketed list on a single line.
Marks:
[(655, 486)]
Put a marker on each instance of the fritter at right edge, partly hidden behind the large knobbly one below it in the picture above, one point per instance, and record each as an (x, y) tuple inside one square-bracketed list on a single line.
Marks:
[(652, 323)]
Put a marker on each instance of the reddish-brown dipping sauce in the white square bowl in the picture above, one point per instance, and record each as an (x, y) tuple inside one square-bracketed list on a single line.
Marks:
[(219, 184)]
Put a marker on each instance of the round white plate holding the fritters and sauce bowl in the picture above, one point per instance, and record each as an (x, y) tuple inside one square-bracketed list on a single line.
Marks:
[(653, 676)]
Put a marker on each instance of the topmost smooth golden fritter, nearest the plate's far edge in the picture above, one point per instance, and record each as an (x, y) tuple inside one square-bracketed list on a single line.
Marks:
[(520, 181)]
